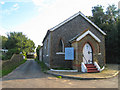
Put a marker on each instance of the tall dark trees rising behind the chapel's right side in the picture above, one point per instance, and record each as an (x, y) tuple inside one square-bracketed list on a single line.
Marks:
[(109, 22)]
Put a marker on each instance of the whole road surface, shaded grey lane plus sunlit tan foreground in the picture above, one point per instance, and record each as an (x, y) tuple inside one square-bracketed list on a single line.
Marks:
[(29, 75)]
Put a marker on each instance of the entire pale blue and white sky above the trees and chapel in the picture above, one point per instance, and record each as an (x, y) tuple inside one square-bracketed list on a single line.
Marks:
[(35, 17)]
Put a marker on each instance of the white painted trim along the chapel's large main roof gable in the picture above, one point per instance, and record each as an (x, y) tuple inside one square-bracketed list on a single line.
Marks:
[(75, 15)]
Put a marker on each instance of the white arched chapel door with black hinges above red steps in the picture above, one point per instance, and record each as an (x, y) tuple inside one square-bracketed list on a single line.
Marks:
[(87, 54)]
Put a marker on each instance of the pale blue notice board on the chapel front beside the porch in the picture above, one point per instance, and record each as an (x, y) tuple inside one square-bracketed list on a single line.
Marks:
[(69, 53)]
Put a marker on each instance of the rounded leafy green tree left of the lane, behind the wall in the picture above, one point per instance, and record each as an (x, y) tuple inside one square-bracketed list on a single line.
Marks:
[(16, 42)]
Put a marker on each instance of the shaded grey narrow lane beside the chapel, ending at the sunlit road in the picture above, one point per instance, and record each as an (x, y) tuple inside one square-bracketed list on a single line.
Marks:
[(30, 69)]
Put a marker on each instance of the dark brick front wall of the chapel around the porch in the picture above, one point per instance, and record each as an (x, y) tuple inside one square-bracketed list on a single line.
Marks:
[(66, 32)]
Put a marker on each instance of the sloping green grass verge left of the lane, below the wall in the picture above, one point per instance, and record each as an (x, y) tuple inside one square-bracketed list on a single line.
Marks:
[(9, 68)]
